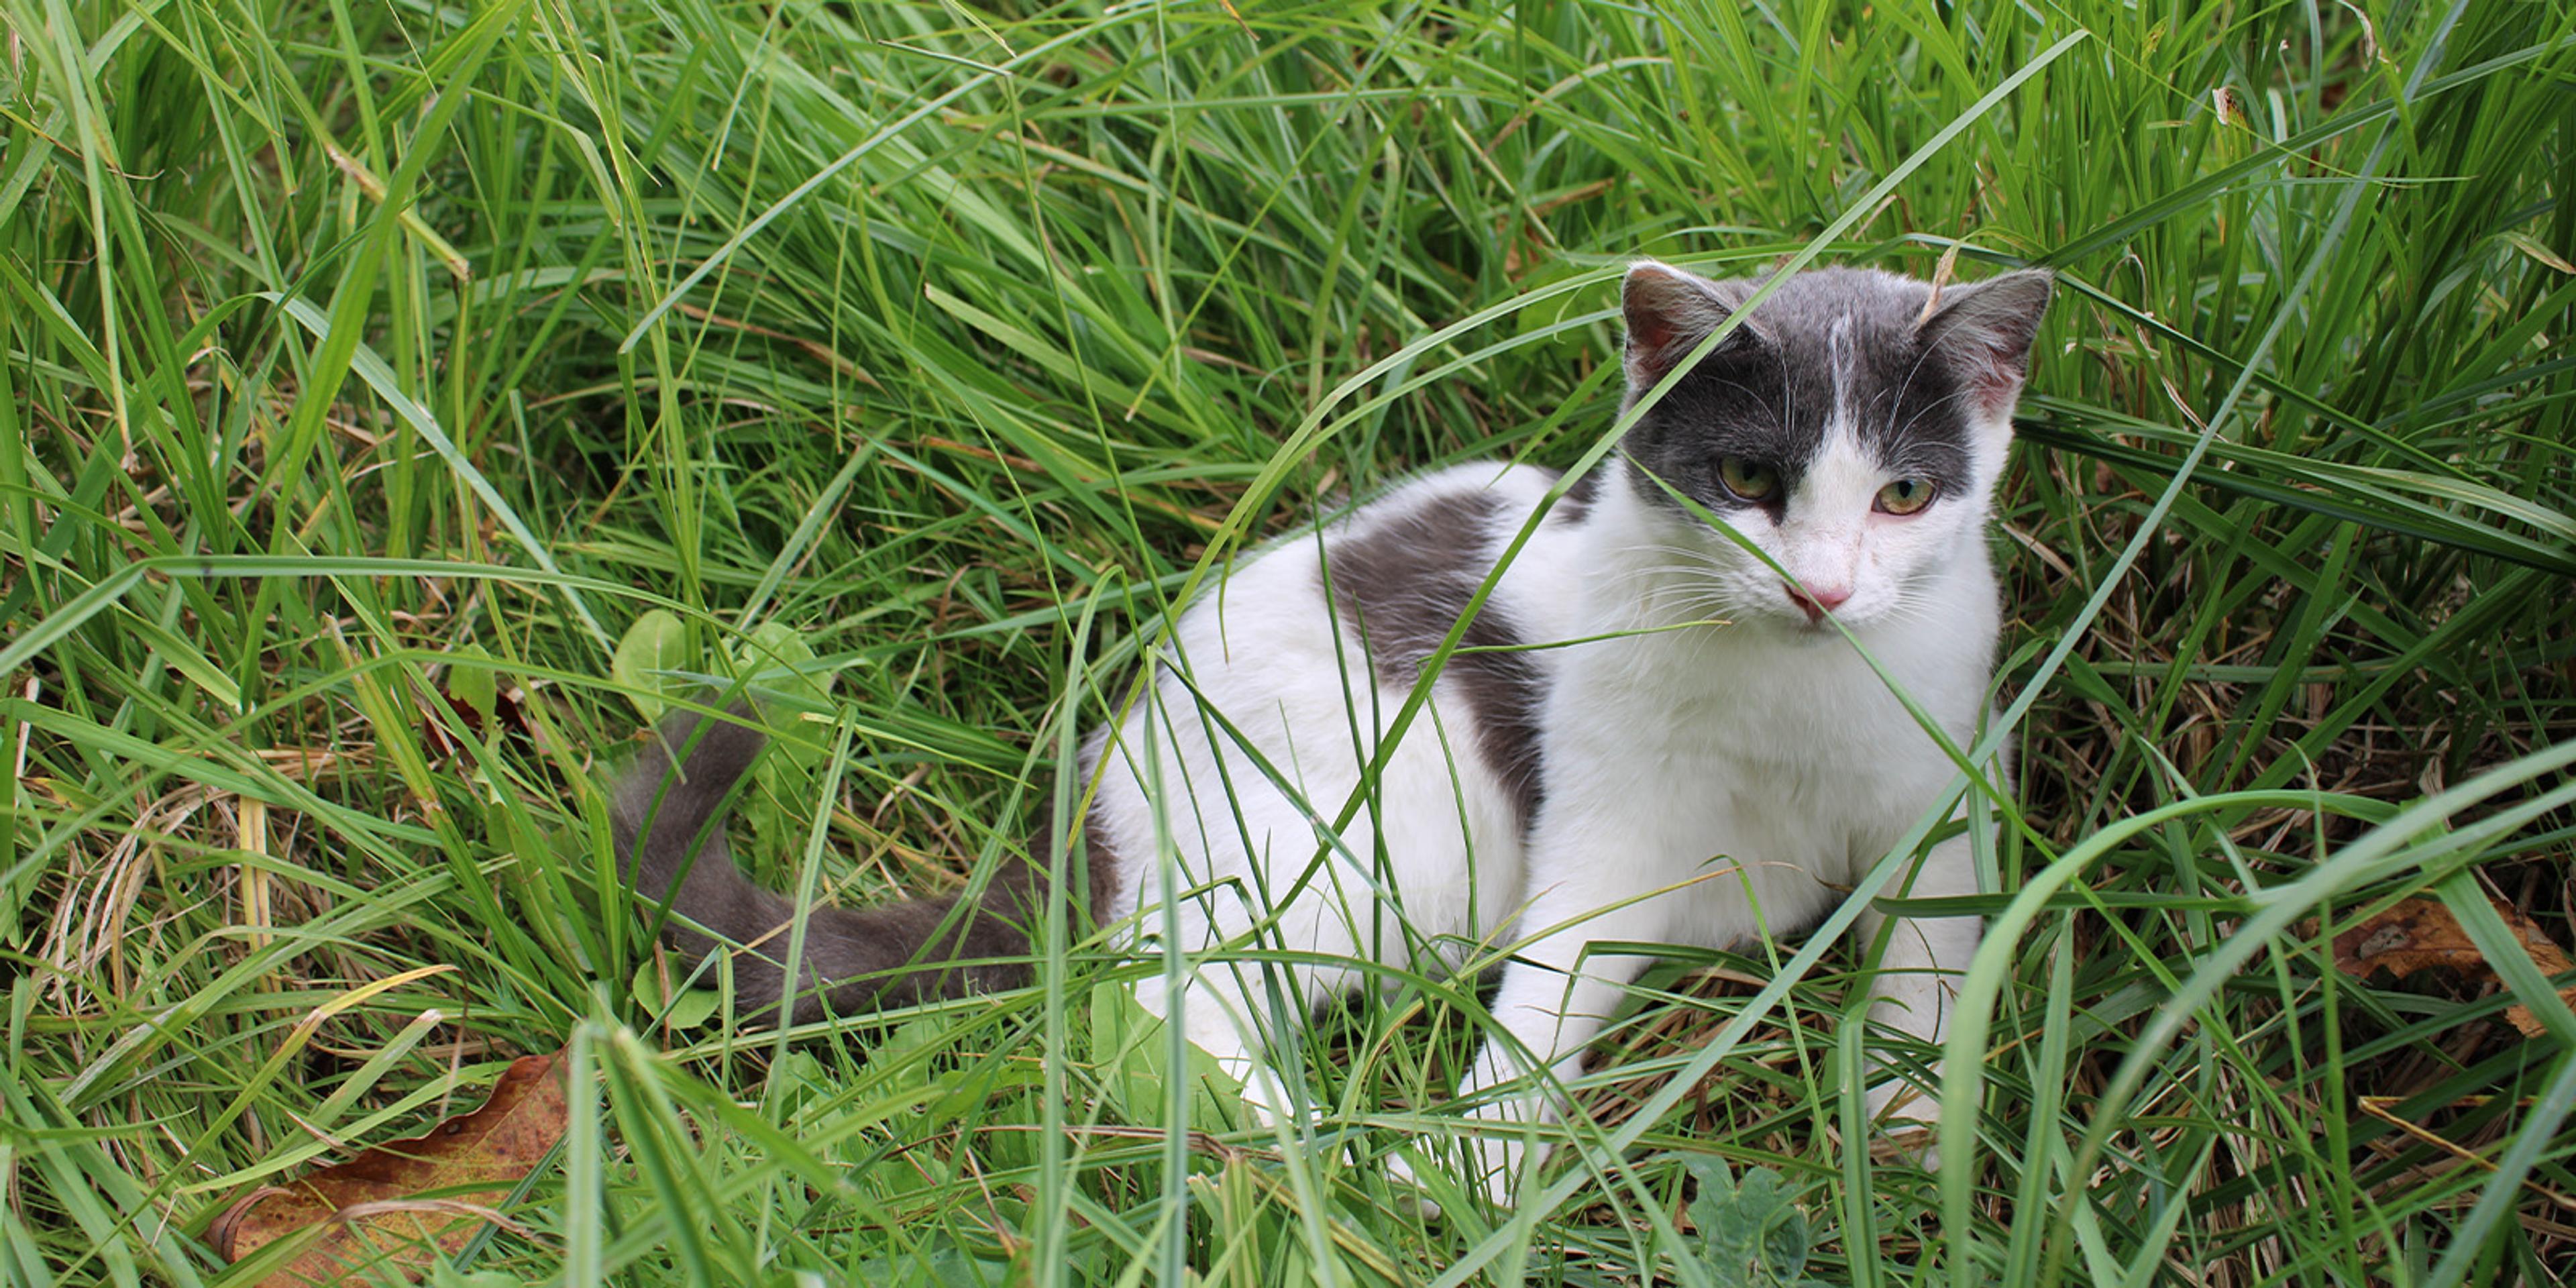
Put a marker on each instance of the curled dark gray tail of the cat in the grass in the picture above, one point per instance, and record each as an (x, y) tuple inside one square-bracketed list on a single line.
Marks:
[(668, 831)]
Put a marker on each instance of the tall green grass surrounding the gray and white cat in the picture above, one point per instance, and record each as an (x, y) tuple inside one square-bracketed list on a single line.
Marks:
[(352, 354)]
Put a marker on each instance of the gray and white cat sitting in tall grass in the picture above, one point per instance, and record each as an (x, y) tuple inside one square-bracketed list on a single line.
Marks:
[(1645, 735)]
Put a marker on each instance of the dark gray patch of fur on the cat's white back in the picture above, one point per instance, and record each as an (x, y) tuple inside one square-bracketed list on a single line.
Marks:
[(1403, 583)]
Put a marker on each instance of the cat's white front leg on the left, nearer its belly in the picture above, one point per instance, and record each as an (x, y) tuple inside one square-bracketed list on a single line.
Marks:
[(1552, 1003)]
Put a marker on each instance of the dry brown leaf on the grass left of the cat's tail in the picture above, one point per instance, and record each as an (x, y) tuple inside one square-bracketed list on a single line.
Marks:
[(375, 1207)]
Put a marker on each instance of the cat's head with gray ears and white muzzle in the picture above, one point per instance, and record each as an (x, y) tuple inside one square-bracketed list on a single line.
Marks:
[(1853, 426)]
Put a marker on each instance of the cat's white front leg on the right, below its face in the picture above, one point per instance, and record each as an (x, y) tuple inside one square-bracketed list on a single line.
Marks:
[(1918, 983)]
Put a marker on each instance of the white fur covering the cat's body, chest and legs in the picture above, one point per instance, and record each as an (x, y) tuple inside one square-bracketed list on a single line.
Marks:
[(1704, 784)]
